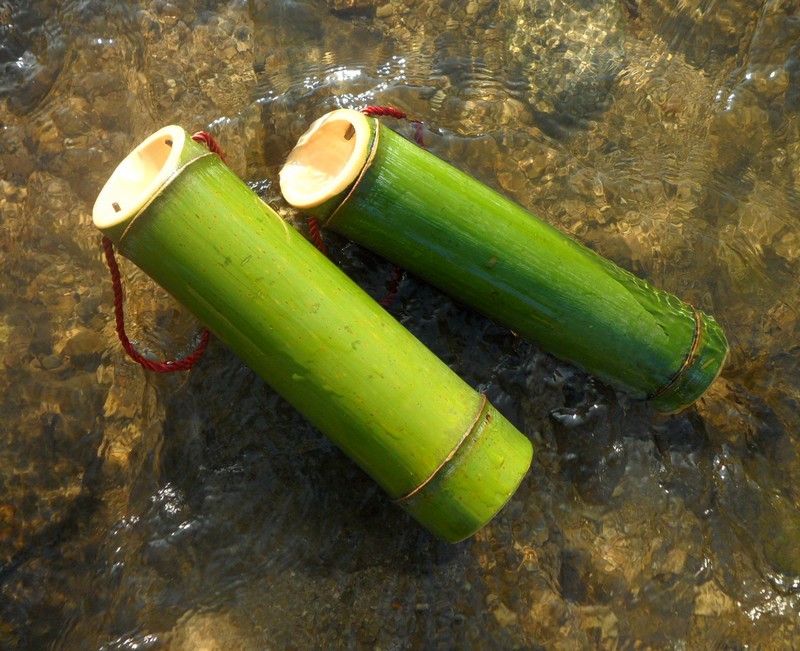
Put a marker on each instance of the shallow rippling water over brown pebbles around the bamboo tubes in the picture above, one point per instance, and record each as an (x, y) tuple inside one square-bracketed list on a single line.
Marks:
[(201, 511)]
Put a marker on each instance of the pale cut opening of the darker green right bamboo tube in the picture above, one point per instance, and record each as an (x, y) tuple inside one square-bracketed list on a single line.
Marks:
[(327, 158)]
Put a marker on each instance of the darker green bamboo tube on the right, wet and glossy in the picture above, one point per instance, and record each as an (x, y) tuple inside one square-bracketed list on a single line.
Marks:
[(363, 180)]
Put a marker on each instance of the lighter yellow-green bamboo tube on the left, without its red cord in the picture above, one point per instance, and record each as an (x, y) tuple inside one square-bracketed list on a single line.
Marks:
[(434, 444)]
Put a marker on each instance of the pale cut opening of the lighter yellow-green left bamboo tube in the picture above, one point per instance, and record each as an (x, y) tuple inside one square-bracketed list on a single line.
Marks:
[(138, 176)]
